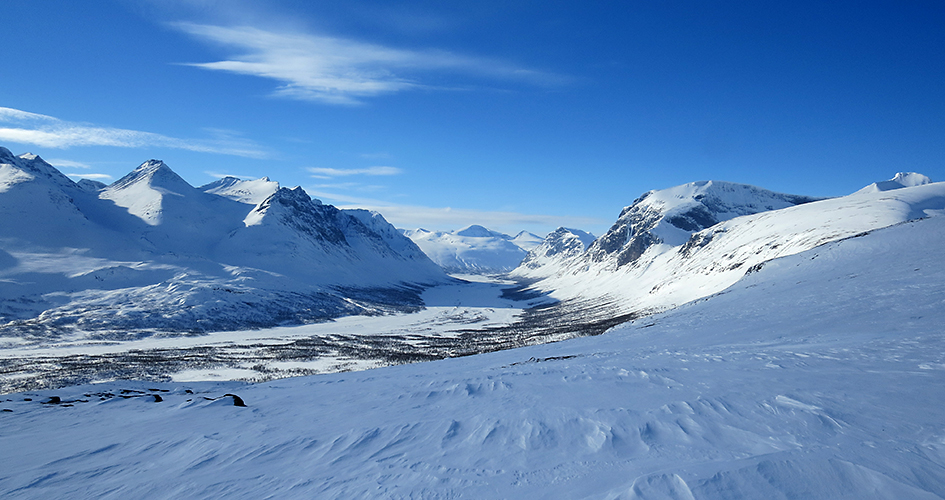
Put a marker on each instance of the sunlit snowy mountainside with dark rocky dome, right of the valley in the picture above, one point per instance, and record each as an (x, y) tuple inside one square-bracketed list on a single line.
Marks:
[(680, 244)]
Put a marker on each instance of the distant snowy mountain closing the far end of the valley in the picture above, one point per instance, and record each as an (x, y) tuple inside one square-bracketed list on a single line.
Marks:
[(474, 249)]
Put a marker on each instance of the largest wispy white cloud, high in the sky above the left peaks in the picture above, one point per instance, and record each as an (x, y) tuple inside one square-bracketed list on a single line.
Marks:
[(336, 70)]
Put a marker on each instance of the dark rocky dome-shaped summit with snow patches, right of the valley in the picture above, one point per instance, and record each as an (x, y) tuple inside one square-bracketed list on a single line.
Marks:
[(670, 216)]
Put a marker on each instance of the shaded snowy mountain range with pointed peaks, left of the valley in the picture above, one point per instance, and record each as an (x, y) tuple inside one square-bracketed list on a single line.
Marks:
[(151, 252)]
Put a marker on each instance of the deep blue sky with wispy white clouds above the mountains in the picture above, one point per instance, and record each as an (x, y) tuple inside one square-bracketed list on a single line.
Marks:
[(514, 115)]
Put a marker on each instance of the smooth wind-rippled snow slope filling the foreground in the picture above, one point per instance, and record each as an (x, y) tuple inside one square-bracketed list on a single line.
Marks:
[(818, 376)]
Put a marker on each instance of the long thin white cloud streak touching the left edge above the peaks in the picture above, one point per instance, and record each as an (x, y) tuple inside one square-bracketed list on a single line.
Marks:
[(46, 131)]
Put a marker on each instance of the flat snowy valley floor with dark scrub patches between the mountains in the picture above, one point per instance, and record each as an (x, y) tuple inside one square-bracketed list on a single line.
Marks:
[(446, 327)]
